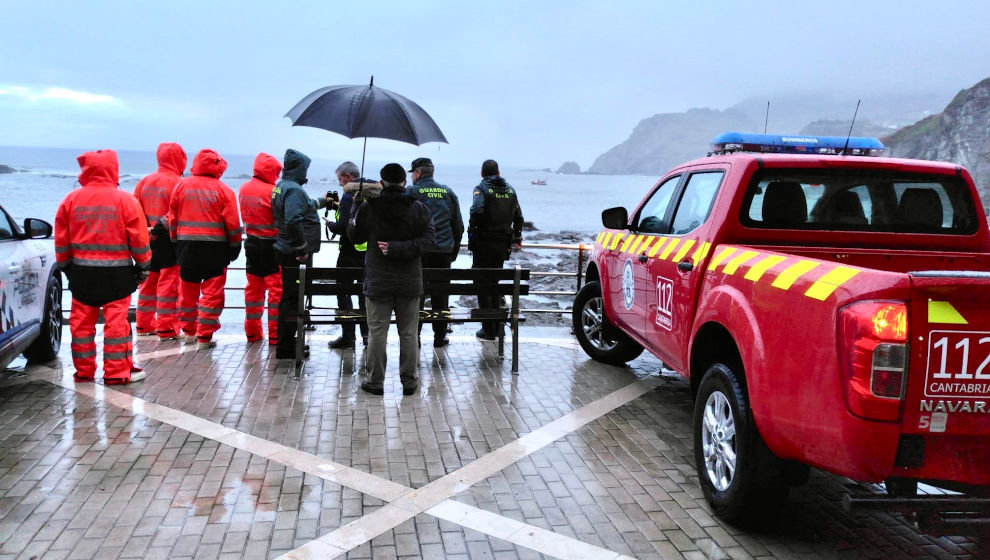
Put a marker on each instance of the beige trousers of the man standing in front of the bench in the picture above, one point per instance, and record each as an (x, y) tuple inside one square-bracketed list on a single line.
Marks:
[(406, 319)]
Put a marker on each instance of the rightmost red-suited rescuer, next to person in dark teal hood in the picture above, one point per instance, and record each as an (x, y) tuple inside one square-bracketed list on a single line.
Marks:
[(263, 273)]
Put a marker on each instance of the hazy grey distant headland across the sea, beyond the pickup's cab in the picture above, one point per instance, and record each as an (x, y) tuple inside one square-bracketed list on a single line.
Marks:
[(665, 140)]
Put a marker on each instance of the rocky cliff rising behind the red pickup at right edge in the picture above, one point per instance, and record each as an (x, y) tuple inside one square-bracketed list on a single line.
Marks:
[(960, 134)]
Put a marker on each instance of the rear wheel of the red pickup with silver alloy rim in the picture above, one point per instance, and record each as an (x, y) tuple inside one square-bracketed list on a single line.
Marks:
[(739, 475)]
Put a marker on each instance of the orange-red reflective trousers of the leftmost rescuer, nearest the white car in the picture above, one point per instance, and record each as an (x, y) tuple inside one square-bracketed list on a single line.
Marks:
[(117, 346)]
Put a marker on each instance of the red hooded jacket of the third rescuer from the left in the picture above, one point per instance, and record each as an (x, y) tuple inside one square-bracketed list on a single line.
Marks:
[(202, 207)]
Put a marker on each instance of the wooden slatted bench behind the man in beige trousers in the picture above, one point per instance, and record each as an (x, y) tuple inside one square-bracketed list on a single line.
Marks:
[(497, 282)]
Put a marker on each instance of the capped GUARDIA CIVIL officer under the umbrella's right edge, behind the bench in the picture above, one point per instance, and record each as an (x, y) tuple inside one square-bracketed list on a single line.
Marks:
[(446, 211)]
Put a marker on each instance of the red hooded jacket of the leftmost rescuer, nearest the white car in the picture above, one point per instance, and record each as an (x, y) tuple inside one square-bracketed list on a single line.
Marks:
[(100, 225)]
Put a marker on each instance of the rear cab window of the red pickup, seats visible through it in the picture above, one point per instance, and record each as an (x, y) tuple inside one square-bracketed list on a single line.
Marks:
[(859, 200)]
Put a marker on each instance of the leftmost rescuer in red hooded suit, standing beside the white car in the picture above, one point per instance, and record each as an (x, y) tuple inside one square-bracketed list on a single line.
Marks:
[(101, 245)]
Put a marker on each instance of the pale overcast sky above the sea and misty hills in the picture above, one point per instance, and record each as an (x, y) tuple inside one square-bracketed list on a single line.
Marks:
[(530, 83)]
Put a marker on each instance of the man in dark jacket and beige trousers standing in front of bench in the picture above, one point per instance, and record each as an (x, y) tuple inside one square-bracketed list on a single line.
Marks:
[(398, 229)]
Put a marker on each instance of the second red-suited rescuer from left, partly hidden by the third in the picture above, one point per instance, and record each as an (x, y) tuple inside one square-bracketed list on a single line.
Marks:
[(158, 295)]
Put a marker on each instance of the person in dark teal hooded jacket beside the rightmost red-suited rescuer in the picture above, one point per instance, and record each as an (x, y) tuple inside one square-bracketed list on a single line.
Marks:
[(298, 238)]
